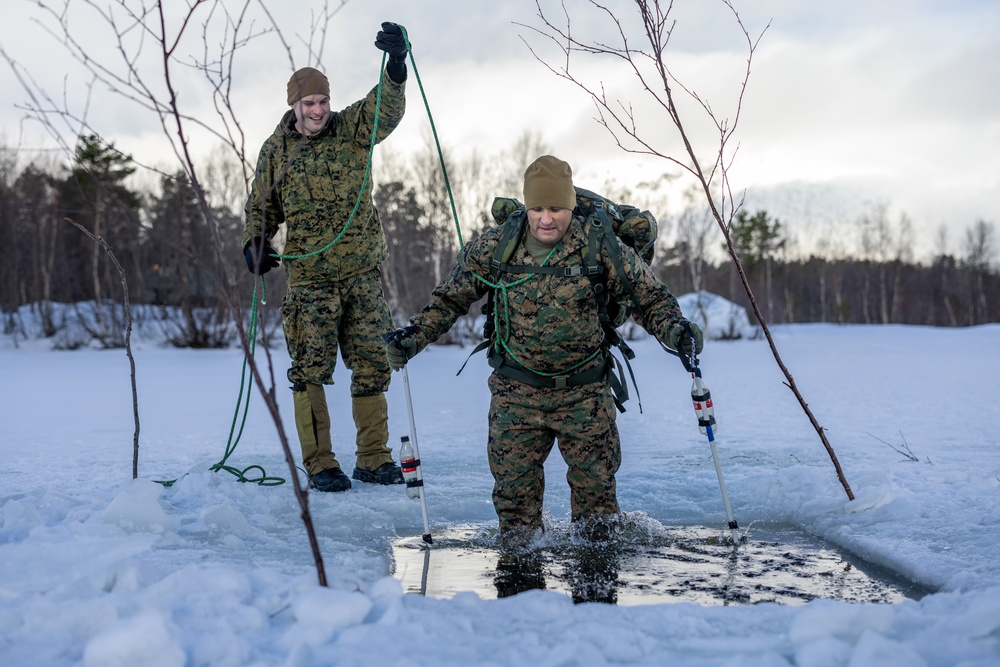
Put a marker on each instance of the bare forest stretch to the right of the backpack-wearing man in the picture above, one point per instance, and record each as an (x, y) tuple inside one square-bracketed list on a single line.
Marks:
[(879, 283)]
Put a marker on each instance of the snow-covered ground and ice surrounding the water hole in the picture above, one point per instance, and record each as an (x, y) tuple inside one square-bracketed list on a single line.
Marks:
[(101, 570)]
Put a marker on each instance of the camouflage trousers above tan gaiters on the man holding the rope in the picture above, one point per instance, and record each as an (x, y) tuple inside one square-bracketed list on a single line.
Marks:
[(349, 314)]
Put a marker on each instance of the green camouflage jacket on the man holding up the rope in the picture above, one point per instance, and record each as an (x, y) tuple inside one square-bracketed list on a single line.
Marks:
[(312, 183)]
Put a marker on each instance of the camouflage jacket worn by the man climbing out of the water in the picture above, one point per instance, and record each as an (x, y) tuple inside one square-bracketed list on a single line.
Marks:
[(547, 323)]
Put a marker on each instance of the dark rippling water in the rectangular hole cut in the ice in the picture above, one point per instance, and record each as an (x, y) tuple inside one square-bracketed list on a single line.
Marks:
[(669, 564)]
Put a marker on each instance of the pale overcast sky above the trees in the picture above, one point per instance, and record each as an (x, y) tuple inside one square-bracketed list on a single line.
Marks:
[(849, 104)]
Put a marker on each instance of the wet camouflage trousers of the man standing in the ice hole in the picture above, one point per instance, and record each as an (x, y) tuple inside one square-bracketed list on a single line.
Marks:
[(524, 424)]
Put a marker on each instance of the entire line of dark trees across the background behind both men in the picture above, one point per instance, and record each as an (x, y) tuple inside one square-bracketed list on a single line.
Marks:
[(162, 241)]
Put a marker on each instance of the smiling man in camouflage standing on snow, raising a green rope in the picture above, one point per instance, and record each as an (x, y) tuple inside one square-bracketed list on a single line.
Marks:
[(313, 178)]
